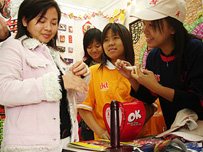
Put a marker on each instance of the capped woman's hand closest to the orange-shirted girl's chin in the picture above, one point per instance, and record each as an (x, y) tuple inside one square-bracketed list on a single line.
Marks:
[(120, 66)]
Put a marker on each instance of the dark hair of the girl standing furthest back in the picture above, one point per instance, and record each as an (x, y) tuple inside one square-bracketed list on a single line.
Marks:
[(91, 35)]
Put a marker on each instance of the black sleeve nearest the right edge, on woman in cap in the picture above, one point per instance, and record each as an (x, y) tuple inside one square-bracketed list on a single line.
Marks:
[(193, 94)]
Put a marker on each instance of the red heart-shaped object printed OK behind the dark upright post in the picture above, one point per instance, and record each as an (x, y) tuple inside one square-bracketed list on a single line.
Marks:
[(131, 119)]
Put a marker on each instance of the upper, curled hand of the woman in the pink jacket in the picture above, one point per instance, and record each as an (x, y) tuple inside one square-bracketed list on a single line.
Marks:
[(80, 69)]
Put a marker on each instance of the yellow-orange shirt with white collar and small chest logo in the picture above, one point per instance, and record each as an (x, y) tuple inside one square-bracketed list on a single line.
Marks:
[(105, 85)]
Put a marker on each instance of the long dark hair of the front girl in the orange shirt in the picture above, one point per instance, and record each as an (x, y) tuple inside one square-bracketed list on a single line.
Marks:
[(126, 38)]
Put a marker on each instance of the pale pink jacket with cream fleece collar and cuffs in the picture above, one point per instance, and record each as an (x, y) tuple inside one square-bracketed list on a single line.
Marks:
[(30, 92)]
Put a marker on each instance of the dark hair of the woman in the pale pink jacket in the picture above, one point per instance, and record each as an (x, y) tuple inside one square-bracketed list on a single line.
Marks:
[(29, 9)]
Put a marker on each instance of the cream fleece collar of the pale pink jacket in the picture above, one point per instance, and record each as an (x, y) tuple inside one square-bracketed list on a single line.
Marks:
[(30, 43)]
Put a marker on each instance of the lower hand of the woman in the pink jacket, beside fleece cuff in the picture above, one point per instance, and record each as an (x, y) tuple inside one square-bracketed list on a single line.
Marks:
[(72, 81)]
